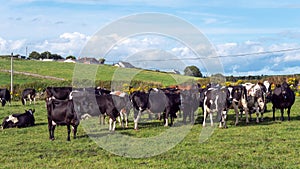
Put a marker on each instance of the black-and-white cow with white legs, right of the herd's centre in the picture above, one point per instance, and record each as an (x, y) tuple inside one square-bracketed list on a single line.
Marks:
[(217, 100)]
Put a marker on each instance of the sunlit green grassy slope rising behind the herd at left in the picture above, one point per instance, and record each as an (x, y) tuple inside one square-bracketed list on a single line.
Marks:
[(69, 70)]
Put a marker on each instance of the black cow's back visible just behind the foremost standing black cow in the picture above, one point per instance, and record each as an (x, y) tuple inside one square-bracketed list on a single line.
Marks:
[(61, 93)]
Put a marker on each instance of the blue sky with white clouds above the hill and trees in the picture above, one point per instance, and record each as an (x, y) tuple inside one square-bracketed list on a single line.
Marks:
[(258, 37)]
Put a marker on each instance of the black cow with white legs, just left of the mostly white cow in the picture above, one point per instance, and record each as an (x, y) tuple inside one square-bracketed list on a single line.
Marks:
[(238, 98)]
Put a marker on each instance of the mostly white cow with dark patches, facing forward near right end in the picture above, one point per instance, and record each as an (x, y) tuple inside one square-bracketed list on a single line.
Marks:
[(256, 99)]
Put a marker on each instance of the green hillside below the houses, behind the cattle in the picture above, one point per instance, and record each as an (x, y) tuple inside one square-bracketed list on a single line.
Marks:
[(69, 71)]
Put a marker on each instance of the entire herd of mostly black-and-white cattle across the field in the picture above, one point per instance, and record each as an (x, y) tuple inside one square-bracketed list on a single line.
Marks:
[(67, 105)]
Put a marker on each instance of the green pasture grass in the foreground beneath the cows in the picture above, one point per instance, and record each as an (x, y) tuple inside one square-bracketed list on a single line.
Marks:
[(270, 144)]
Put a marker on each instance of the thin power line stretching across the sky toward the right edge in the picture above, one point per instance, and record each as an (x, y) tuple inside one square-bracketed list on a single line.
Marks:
[(219, 56)]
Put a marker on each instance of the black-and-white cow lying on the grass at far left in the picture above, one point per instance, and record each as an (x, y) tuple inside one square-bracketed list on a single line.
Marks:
[(19, 120)]
